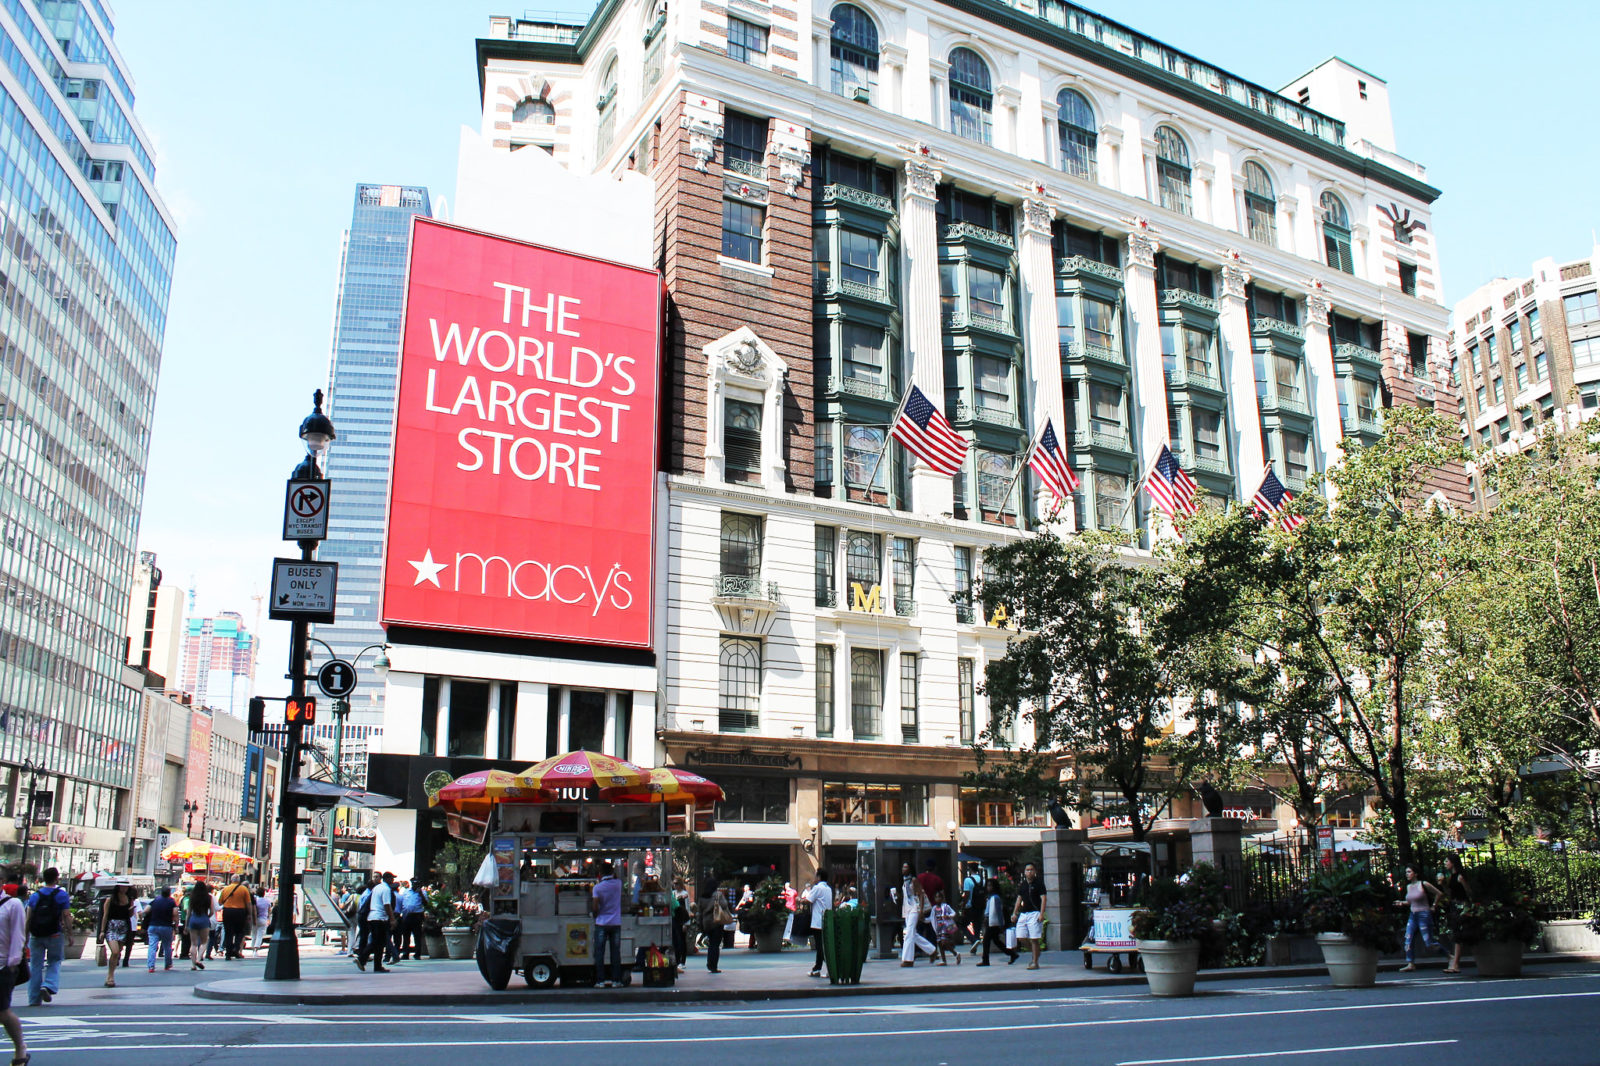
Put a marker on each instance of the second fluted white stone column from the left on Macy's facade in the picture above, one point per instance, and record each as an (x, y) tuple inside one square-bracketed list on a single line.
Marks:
[(1038, 270)]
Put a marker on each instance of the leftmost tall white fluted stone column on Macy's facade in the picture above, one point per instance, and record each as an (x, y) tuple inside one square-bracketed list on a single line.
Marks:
[(924, 339)]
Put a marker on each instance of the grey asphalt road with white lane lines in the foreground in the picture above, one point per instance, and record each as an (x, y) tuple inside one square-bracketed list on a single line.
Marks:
[(1548, 1019)]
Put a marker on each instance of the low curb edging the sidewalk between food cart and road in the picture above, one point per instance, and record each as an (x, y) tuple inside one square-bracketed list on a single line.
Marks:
[(801, 992)]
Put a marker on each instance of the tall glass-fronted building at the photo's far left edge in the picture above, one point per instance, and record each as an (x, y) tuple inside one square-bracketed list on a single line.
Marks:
[(86, 270)]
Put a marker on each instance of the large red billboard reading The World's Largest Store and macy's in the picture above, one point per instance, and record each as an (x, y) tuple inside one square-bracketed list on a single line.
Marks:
[(522, 497)]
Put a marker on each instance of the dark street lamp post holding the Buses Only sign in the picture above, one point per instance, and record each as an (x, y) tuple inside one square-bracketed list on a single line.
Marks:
[(284, 950)]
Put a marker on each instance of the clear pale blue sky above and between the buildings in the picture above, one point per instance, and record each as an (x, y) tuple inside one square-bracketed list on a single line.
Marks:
[(266, 116)]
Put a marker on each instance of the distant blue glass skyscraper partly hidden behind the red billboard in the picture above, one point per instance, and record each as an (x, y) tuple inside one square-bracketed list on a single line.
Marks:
[(366, 364)]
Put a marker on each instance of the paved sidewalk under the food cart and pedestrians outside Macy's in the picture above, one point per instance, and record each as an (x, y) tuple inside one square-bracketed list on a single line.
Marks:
[(745, 977)]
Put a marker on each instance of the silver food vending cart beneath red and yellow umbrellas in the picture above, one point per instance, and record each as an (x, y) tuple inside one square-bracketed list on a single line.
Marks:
[(548, 859)]
